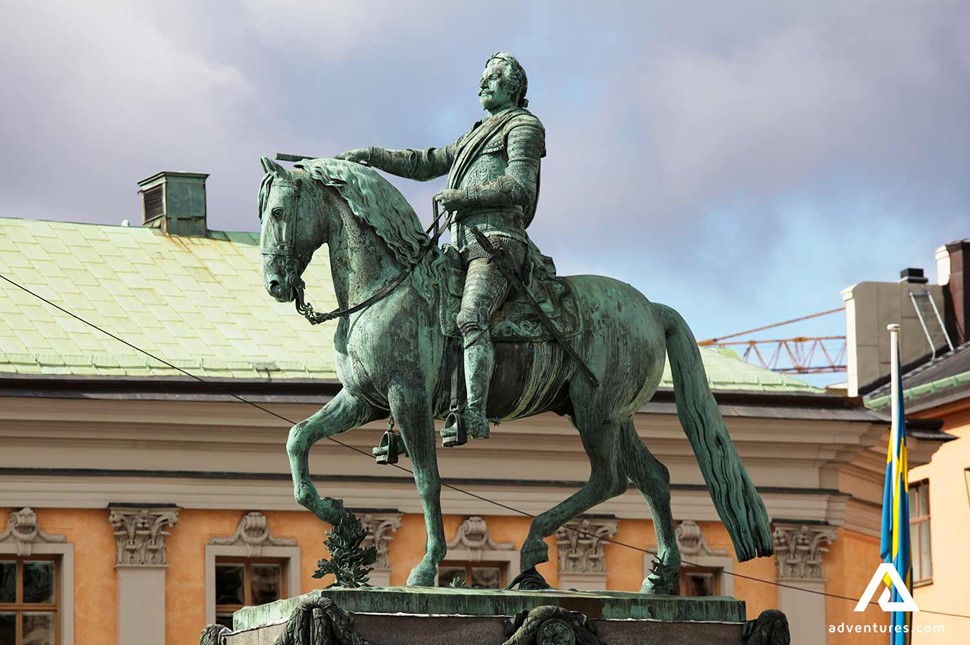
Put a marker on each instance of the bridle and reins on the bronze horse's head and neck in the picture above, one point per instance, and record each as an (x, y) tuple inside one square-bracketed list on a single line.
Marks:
[(292, 260)]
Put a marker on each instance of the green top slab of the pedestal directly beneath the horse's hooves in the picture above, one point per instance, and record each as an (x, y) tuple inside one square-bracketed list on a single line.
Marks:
[(613, 605)]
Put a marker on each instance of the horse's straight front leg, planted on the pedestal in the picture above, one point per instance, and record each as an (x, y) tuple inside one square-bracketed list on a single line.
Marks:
[(411, 408)]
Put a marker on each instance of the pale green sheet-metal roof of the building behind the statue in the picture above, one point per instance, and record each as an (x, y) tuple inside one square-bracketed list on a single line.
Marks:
[(198, 303)]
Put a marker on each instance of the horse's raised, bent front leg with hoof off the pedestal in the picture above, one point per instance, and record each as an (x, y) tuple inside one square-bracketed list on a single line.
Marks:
[(342, 413)]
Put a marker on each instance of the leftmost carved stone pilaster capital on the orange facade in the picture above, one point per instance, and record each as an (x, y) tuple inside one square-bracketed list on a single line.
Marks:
[(140, 534)]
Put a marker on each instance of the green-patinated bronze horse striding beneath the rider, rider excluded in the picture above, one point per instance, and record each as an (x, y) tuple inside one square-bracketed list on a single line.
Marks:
[(389, 359)]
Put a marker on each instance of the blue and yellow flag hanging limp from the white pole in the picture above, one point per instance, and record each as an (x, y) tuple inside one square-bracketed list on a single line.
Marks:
[(895, 545)]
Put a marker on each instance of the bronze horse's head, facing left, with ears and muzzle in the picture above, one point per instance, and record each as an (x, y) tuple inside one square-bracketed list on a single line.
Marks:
[(288, 237)]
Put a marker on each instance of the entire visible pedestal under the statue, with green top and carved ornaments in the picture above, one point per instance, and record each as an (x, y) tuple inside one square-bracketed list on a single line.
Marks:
[(395, 616)]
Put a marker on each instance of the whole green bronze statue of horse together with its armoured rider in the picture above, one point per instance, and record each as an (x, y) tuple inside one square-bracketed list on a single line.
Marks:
[(411, 312)]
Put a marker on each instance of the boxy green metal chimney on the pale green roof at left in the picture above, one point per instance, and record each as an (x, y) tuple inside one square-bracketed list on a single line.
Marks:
[(174, 202)]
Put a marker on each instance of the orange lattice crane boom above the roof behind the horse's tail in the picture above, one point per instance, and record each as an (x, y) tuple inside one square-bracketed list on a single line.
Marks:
[(797, 355)]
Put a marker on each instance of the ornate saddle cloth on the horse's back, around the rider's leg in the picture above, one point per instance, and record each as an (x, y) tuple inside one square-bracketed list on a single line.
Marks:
[(516, 319)]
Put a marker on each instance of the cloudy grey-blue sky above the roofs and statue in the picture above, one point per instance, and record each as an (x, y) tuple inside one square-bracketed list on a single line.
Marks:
[(743, 162)]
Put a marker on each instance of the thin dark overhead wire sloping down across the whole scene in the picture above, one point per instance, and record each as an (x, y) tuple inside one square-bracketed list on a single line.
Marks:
[(445, 484)]
